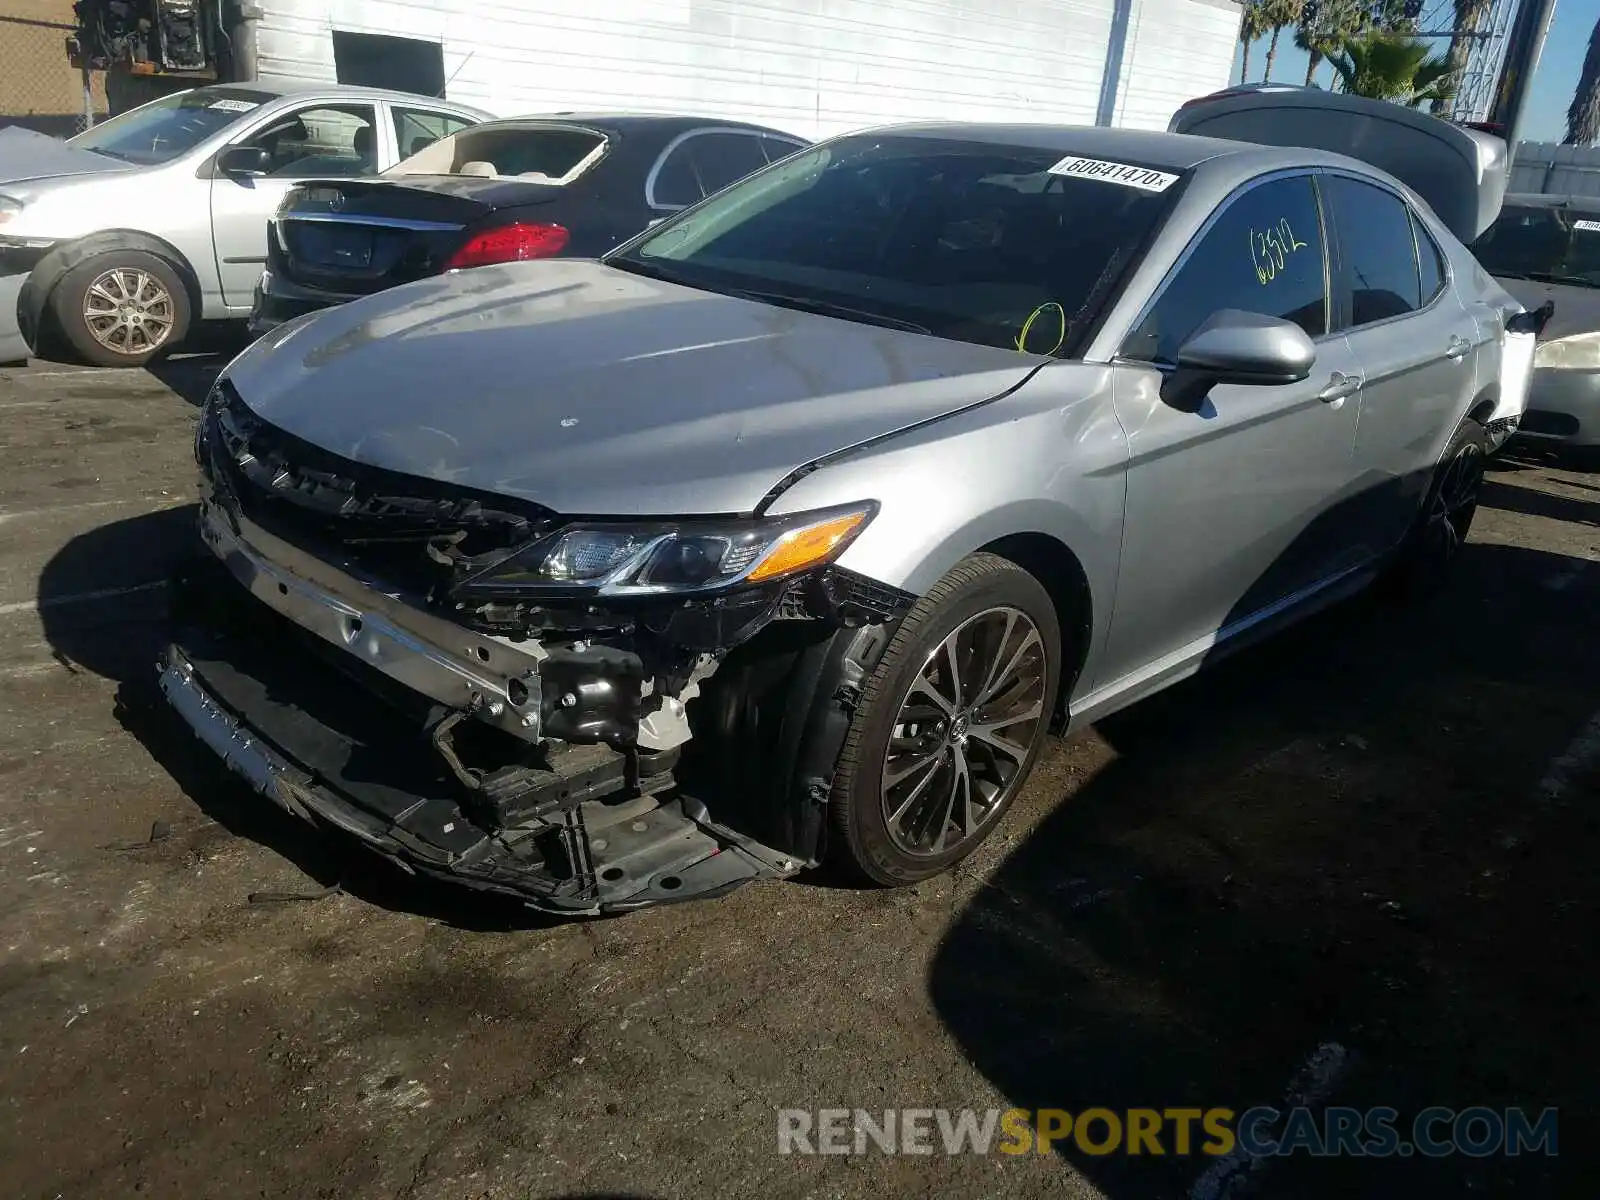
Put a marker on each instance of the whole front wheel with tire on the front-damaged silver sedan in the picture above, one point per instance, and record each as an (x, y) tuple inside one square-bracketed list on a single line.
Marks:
[(948, 727)]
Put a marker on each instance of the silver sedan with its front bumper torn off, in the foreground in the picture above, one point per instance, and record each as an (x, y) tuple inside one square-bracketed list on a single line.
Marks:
[(790, 530)]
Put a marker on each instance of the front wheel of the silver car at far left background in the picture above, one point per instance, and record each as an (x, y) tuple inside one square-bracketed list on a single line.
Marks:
[(122, 310)]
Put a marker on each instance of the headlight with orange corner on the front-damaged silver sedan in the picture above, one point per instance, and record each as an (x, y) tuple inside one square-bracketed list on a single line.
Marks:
[(665, 558)]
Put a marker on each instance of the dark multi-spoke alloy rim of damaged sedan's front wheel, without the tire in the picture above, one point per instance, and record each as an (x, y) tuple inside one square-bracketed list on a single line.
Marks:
[(964, 734)]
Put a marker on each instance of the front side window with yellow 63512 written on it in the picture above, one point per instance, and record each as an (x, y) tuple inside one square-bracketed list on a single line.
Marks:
[(1263, 255)]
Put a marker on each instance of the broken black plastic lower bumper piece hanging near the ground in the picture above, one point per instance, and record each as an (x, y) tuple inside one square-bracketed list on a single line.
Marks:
[(318, 743)]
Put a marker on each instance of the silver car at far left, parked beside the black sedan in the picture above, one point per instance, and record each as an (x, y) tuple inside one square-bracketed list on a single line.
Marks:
[(122, 238)]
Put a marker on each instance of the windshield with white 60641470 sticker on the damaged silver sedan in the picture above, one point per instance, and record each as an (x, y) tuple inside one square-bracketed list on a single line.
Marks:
[(970, 241)]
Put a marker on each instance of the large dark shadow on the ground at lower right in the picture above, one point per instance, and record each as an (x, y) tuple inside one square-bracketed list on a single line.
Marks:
[(1342, 857)]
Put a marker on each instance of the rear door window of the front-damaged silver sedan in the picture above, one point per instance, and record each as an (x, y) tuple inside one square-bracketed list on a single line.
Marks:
[(1378, 250)]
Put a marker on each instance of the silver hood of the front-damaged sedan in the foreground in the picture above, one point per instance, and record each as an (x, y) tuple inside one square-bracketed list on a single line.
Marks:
[(596, 391)]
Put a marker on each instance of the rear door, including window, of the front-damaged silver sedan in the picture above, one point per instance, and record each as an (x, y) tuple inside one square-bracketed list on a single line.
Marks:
[(1415, 343)]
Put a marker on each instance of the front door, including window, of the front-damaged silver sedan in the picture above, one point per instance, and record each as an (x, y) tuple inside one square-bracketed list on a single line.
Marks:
[(1244, 503)]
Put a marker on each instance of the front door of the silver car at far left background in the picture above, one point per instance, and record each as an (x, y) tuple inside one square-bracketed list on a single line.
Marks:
[(321, 142)]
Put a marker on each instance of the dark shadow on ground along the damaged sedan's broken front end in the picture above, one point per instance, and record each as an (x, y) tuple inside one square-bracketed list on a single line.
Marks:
[(122, 639)]
